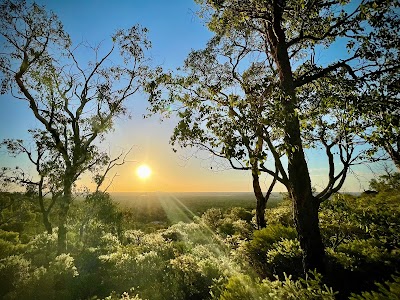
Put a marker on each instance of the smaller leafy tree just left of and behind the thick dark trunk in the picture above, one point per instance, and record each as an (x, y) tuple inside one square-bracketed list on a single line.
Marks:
[(229, 125)]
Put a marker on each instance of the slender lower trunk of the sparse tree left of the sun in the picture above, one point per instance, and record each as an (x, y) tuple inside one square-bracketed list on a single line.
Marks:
[(63, 214)]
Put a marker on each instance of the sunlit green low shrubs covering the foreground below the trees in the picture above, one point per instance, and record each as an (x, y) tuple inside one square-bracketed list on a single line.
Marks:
[(219, 255)]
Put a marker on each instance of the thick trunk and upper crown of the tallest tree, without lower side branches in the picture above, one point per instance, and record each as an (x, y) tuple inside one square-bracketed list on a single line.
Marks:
[(290, 32)]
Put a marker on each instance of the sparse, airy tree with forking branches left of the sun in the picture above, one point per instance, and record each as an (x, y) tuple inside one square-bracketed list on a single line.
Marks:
[(74, 101)]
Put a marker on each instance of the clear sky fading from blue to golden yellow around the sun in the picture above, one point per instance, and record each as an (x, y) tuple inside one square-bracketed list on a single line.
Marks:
[(174, 30)]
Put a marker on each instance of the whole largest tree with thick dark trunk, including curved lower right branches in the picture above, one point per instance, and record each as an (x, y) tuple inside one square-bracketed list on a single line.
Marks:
[(287, 35)]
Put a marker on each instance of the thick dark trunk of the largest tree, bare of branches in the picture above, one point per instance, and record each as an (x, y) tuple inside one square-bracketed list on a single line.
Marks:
[(299, 187)]
